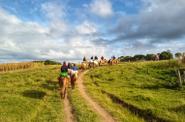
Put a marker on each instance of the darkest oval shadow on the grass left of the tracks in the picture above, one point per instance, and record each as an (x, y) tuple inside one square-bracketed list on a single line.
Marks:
[(34, 94)]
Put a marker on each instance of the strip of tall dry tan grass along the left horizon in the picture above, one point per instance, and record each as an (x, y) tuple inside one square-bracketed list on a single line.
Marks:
[(18, 66)]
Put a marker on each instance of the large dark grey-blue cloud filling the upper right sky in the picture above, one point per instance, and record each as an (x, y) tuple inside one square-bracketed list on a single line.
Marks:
[(154, 21)]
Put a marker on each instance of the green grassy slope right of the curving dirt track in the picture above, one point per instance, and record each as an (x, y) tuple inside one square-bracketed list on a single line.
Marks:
[(138, 91)]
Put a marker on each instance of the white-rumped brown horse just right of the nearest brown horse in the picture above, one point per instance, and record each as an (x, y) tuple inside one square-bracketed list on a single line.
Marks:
[(73, 77)]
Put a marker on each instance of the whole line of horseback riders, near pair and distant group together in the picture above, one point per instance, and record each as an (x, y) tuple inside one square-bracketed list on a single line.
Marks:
[(69, 72)]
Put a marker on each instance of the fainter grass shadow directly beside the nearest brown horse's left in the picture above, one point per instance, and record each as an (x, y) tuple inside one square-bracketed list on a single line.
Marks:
[(50, 85)]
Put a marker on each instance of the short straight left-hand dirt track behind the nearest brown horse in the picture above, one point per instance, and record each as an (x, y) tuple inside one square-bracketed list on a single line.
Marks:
[(68, 111)]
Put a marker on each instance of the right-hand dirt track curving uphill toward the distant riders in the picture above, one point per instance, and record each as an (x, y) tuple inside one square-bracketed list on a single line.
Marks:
[(105, 116)]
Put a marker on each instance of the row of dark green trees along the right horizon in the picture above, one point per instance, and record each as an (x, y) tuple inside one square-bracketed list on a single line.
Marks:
[(165, 55)]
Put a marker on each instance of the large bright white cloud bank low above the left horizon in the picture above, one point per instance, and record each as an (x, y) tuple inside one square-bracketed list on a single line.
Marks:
[(31, 41)]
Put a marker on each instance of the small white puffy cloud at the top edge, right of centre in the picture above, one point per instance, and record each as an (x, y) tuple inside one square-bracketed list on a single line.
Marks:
[(102, 8)]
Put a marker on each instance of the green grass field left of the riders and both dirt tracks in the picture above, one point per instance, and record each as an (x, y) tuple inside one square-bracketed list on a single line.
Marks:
[(30, 95)]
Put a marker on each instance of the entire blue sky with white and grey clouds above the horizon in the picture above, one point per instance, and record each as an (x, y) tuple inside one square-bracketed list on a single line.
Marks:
[(71, 29)]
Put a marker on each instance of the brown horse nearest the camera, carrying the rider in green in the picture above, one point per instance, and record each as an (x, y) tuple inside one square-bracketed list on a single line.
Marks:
[(63, 83)]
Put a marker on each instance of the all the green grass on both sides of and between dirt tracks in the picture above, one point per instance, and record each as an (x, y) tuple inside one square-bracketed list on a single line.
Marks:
[(130, 92)]
